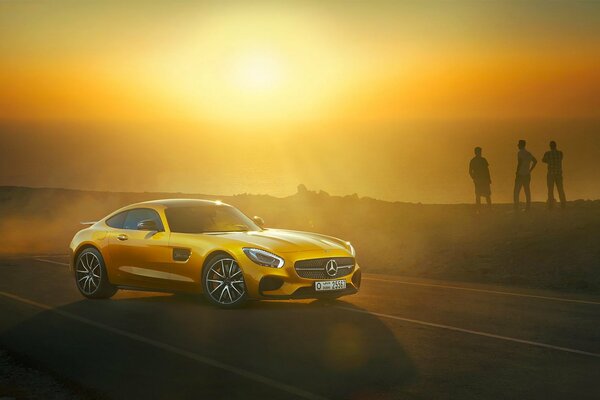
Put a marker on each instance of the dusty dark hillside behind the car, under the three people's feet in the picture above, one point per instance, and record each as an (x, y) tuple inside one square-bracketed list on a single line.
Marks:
[(541, 249)]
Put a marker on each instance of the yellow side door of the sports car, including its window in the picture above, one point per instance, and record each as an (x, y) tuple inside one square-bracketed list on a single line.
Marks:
[(140, 257)]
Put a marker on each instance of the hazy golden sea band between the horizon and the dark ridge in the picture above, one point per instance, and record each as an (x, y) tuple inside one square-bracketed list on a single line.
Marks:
[(418, 161)]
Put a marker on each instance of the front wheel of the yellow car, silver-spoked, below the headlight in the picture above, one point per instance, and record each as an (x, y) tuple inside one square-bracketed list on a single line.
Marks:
[(223, 281)]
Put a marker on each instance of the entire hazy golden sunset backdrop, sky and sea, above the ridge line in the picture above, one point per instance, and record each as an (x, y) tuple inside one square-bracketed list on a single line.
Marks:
[(386, 99)]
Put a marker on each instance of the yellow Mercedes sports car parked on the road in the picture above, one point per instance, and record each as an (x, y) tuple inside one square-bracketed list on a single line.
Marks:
[(212, 248)]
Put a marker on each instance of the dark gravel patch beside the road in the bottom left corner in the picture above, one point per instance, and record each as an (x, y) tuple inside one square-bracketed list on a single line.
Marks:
[(18, 381)]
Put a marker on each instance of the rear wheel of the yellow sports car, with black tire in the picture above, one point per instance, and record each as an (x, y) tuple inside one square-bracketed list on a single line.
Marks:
[(90, 275)]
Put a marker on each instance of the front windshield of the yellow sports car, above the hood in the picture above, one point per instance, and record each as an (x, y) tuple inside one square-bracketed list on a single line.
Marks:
[(208, 218)]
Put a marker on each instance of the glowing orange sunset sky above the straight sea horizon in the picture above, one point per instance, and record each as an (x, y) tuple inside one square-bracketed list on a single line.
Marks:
[(297, 61)]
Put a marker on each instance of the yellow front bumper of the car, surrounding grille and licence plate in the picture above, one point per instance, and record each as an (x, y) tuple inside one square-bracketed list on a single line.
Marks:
[(285, 283)]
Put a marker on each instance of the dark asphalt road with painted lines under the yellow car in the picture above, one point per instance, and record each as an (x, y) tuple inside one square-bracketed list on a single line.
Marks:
[(398, 338)]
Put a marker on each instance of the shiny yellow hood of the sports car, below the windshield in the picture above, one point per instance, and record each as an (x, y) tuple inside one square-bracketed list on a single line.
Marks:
[(285, 241)]
